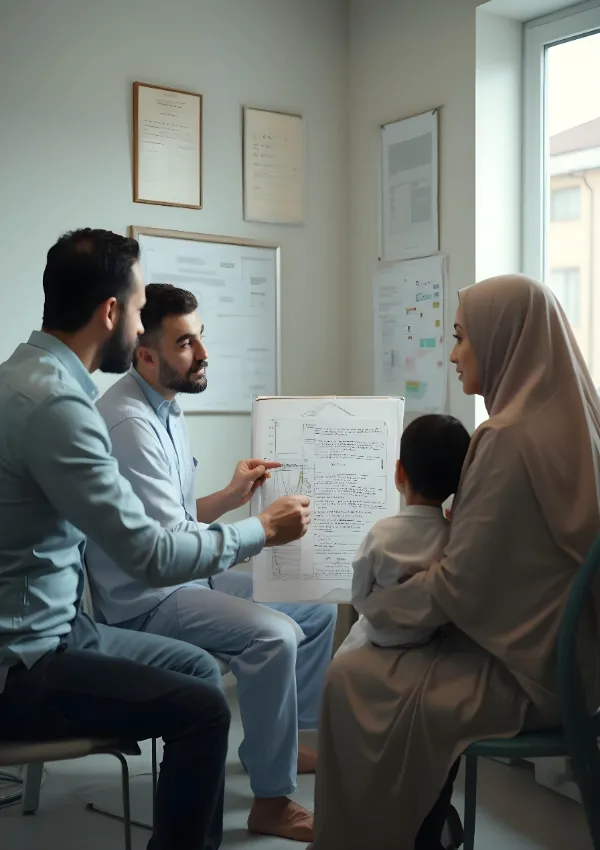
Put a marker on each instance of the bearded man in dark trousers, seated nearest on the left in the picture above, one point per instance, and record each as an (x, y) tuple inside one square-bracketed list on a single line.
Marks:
[(61, 675)]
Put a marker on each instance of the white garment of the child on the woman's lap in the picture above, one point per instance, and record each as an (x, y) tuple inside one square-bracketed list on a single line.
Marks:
[(394, 550)]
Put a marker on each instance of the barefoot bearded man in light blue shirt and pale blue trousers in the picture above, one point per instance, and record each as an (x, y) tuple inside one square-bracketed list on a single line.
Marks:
[(278, 653)]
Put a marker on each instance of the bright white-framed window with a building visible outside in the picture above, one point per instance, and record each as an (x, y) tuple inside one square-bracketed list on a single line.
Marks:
[(561, 166)]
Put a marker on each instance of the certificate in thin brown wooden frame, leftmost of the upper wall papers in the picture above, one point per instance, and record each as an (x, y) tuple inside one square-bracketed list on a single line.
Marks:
[(167, 146)]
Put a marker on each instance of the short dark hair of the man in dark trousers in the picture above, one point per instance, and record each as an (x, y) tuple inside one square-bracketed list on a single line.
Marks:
[(84, 269)]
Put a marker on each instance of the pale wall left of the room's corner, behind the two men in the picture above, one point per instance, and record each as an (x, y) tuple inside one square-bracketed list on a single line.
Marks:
[(66, 69)]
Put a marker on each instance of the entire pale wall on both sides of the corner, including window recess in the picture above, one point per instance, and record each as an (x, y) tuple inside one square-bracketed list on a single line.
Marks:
[(66, 70)]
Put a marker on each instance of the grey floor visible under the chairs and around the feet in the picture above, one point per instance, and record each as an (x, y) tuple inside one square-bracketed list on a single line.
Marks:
[(514, 812)]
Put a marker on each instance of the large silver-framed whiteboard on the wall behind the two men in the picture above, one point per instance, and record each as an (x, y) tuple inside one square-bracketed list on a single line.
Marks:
[(236, 283)]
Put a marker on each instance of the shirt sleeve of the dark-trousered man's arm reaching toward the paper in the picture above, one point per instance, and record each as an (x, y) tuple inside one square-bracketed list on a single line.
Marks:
[(69, 457)]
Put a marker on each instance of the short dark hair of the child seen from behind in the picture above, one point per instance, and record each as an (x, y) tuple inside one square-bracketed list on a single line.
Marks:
[(432, 452)]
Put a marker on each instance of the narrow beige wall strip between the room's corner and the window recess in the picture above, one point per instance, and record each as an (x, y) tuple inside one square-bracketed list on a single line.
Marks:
[(406, 58)]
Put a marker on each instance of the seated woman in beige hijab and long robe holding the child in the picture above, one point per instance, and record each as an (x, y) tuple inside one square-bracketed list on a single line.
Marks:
[(395, 722)]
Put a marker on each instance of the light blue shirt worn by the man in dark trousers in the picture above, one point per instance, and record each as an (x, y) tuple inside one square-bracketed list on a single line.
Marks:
[(60, 483)]
